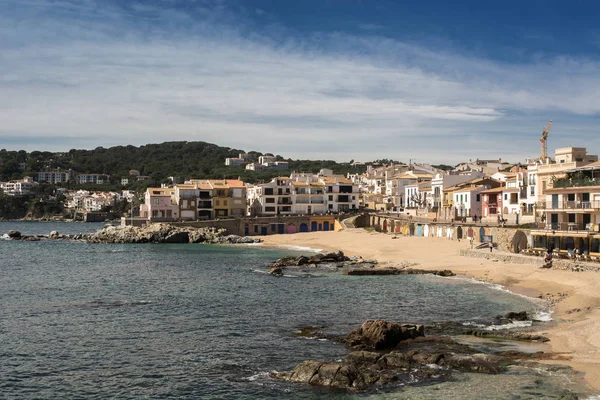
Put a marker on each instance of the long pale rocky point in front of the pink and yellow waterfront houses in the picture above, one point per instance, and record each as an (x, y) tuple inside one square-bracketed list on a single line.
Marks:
[(152, 233)]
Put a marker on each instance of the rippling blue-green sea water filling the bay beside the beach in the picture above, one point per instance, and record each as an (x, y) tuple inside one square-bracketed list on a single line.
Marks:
[(194, 321)]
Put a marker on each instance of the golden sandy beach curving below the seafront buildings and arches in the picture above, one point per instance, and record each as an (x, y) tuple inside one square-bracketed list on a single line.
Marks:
[(575, 295)]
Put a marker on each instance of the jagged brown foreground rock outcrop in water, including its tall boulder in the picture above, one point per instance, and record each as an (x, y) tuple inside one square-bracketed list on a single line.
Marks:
[(387, 353)]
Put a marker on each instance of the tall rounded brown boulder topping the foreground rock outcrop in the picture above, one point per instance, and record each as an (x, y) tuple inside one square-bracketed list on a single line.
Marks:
[(380, 335)]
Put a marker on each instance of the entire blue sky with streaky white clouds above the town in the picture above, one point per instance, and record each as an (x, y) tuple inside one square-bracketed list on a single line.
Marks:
[(430, 81)]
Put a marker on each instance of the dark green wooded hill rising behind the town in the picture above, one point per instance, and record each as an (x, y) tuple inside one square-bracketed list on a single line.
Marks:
[(182, 160)]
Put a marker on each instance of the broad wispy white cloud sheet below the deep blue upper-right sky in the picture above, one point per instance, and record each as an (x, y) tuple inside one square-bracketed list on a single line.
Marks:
[(114, 75)]
